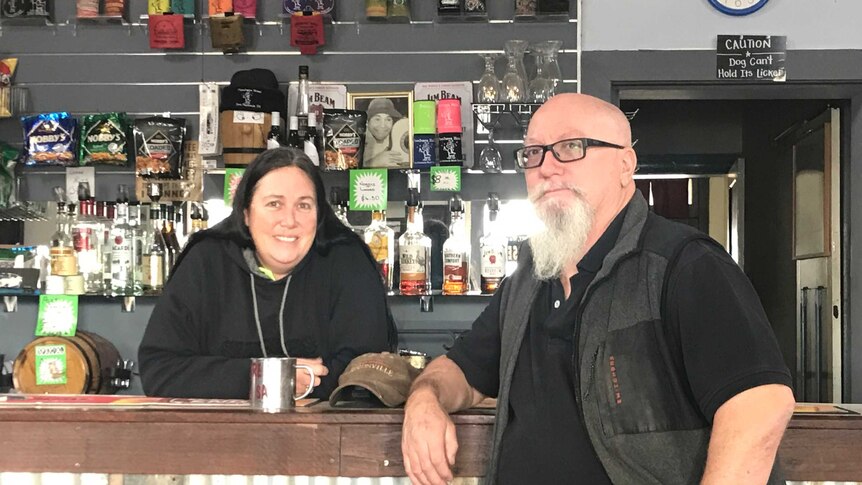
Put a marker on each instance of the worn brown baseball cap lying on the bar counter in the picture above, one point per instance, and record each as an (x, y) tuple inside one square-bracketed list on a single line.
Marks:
[(374, 379)]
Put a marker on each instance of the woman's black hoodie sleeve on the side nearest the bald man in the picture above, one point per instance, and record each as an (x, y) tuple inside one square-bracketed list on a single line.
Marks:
[(358, 318)]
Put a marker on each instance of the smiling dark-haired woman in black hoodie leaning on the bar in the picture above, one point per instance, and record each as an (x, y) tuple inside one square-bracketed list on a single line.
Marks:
[(280, 276)]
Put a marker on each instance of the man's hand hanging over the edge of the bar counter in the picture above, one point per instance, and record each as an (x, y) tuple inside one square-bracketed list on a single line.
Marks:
[(428, 440)]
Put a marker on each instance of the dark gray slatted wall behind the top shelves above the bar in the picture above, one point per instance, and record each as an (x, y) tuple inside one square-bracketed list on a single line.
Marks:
[(84, 68)]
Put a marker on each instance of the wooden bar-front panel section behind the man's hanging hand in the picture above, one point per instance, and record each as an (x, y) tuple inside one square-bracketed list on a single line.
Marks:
[(375, 451)]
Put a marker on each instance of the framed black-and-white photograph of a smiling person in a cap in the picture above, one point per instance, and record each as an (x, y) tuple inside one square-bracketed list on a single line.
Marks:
[(389, 134)]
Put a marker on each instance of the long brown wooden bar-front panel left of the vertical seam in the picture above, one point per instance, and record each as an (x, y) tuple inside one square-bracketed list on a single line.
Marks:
[(160, 448)]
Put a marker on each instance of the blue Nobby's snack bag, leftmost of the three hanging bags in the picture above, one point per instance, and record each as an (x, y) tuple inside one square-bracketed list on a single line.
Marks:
[(50, 139)]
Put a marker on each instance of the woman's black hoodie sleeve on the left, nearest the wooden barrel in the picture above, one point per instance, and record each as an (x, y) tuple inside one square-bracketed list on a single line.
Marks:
[(172, 356)]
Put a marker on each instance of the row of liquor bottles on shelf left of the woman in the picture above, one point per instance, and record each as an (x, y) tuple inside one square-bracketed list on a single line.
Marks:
[(116, 248)]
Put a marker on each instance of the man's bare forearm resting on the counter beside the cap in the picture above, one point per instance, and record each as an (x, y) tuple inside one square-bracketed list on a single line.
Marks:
[(445, 380)]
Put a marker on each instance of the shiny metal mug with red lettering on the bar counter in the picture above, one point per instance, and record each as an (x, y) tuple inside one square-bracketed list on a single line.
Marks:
[(273, 380)]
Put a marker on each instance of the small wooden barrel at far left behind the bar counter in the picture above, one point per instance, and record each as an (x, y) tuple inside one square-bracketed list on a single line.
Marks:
[(90, 361)]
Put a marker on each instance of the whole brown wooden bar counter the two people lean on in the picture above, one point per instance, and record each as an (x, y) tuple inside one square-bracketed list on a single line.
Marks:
[(823, 442)]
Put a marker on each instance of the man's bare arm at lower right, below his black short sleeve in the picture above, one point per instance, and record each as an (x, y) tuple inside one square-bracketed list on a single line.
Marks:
[(746, 433)]
